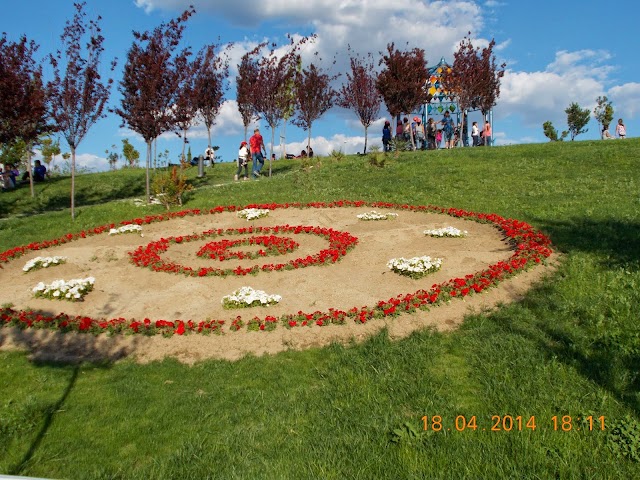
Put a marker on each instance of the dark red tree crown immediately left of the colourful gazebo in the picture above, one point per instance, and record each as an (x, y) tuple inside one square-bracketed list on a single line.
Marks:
[(401, 81)]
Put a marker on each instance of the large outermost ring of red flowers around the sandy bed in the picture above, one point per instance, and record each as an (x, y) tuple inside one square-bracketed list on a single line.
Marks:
[(530, 249)]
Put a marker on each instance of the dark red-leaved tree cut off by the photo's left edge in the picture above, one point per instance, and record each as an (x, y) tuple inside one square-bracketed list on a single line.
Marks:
[(23, 100)]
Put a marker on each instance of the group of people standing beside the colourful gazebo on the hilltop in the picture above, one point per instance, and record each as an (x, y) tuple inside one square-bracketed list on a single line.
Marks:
[(430, 137)]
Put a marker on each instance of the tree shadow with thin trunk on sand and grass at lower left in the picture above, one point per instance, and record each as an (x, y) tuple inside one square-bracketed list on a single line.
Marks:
[(69, 352)]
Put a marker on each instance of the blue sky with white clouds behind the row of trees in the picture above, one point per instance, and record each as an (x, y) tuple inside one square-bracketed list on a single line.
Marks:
[(556, 53)]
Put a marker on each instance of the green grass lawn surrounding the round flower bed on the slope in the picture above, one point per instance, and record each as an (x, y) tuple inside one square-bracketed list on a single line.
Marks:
[(570, 347)]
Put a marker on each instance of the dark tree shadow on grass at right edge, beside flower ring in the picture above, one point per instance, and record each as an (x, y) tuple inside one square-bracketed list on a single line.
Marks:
[(618, 240)]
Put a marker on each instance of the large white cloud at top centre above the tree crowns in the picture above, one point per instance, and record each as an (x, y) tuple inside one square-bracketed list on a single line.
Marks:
[(368, 26)]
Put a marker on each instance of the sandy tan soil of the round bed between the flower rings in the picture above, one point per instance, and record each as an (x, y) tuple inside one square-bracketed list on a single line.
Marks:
[(360, 278)]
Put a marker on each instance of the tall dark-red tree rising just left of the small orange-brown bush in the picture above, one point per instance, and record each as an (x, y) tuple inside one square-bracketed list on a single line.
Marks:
[(151, 81)]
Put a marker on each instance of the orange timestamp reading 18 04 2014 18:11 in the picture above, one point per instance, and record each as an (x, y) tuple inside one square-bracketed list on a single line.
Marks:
[(518, 423)]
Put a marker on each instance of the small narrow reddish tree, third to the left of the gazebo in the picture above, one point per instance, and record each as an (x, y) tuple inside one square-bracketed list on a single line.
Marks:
[(313, 96)]
